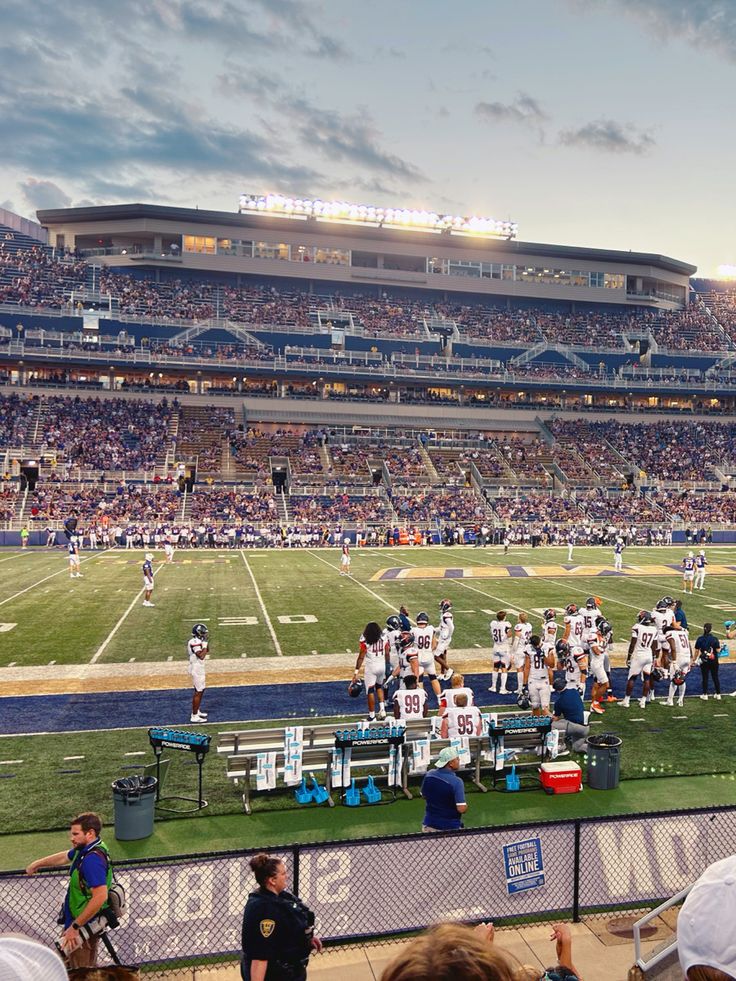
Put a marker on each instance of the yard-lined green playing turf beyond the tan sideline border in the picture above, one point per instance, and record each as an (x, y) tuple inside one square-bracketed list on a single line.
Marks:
[(265, 603)]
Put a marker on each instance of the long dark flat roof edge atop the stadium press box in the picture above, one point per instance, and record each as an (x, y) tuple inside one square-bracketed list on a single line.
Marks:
[(128, 212)]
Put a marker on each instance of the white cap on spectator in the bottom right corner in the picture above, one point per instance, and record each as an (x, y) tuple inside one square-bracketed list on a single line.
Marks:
[(705, 932)]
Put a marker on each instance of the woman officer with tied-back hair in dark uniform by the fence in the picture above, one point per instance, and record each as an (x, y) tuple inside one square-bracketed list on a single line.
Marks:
[(278, 929)]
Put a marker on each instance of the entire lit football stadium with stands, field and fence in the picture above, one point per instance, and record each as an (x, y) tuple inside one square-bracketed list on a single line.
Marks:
[(478, 421)]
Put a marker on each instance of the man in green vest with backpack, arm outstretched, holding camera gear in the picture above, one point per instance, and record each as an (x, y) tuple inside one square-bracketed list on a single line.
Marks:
[(90, 877)]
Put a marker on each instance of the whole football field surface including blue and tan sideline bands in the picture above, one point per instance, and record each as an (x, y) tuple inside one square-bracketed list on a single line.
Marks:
[(85, 668)]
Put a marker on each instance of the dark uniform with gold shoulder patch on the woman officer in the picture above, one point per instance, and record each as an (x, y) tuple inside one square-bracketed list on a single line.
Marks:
[(278, 929)]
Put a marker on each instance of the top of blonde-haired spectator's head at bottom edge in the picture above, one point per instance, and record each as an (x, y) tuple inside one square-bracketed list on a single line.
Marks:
[(452, 952)]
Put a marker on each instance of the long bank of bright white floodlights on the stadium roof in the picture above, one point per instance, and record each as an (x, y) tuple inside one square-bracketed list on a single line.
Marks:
[(345, 212)]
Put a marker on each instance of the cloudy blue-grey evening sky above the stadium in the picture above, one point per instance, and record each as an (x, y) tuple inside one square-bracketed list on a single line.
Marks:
[(602, 123)]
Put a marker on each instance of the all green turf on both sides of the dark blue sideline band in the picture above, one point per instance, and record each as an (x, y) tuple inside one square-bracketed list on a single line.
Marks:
[(266, 604)]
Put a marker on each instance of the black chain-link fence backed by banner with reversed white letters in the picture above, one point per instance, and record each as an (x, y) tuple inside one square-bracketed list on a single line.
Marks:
[(188, 911)]
